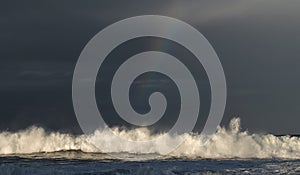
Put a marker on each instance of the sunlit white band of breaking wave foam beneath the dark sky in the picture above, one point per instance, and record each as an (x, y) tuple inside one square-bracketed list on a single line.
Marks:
[(225, 143)]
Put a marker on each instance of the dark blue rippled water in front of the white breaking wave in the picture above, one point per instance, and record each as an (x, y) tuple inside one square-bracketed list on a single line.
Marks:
[(77, 162)]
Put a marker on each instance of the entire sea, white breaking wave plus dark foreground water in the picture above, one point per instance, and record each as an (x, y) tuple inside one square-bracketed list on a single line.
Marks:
[(229, 151)]
